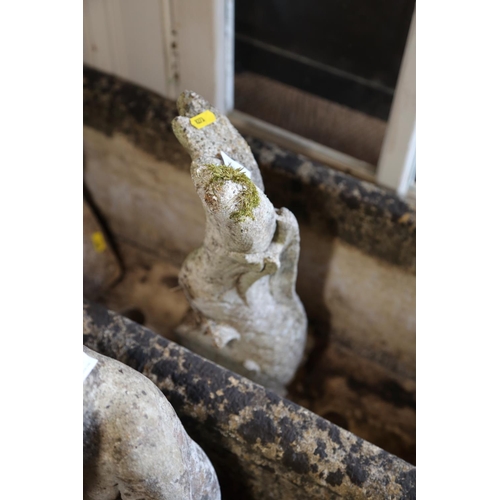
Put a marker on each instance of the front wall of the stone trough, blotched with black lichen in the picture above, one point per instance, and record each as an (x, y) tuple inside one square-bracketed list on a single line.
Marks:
[(263, 446)]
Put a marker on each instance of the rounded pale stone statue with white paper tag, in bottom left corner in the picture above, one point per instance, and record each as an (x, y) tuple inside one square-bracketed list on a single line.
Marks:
[(134, 445)]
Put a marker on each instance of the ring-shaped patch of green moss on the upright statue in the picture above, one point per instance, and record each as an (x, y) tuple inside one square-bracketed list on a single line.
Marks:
[(248, 199)]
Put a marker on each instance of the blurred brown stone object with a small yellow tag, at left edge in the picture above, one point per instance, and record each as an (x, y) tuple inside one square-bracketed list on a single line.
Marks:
[(100, 266)]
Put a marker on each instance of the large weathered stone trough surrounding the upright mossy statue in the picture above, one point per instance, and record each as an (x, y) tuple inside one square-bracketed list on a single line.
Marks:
[(356, 278)]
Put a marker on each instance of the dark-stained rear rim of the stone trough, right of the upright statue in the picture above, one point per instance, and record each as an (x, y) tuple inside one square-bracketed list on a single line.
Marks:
[(361, 214)]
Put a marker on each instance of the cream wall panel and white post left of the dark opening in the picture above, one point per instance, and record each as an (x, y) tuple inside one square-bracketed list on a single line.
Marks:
[(164, 45)]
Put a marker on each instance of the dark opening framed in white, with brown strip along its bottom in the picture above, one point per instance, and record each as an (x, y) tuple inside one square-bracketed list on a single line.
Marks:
[(343, 52)]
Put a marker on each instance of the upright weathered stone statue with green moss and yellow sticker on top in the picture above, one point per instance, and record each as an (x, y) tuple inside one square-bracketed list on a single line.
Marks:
[(245, 313)]
